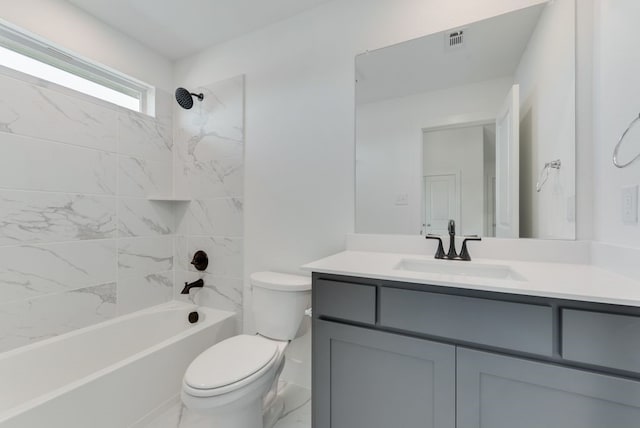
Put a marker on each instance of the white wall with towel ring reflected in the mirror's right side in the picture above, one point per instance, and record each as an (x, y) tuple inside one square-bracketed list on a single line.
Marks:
[(546, 75)]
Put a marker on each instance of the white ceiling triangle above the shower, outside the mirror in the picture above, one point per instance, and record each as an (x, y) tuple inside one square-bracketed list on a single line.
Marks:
[(179, 28)]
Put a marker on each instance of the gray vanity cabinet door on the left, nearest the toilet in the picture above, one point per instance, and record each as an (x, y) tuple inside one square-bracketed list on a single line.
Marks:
[(370, 379)]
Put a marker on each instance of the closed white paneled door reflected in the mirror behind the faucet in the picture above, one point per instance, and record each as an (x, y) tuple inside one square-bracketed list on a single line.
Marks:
[(442, 202)]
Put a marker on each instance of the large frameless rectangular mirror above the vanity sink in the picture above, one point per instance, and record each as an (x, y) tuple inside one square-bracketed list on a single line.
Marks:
[(474, 124)]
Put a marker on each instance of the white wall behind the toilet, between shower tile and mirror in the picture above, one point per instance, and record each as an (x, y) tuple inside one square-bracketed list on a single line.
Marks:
[(299, 117)]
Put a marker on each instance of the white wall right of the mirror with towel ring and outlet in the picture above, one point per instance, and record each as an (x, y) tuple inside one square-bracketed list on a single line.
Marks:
[(616, 103)]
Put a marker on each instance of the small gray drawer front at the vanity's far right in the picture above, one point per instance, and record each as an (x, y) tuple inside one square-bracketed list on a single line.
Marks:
[(601, 339)]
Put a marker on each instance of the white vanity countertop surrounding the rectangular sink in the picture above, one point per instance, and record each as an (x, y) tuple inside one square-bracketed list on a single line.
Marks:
[(557, 280)]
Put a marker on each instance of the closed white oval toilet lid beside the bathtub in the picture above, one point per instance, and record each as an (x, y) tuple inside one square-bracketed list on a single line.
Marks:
[(230, 361)]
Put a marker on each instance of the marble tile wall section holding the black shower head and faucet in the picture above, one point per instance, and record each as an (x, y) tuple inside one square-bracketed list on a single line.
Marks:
[(209, 168)]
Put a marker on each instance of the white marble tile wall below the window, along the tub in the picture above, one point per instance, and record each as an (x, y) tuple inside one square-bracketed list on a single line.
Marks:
[(79, 241)]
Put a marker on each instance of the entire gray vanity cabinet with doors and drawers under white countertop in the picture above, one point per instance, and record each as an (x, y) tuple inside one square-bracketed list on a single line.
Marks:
[(390, 354)]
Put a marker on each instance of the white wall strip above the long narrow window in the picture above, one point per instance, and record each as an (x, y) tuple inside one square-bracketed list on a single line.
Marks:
[(68, 26)]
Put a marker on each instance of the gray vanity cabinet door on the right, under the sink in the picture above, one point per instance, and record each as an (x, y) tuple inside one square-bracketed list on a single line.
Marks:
[(495, 391)]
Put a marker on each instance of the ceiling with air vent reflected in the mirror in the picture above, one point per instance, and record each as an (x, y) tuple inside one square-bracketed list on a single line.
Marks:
[(492, 49)]
